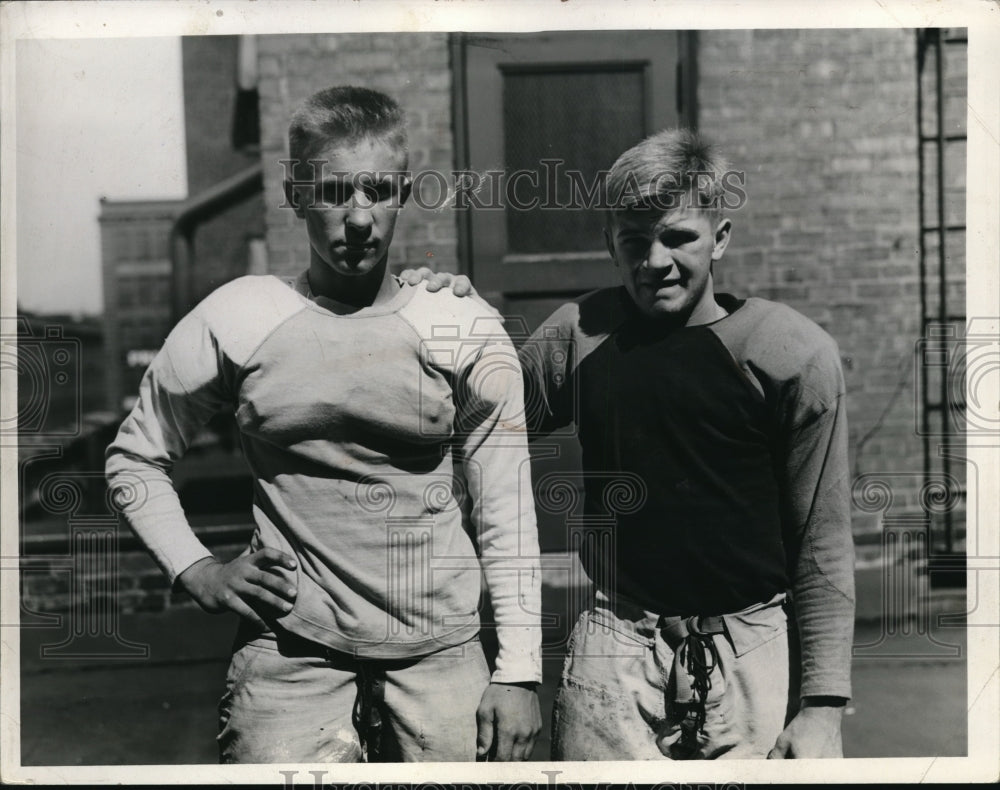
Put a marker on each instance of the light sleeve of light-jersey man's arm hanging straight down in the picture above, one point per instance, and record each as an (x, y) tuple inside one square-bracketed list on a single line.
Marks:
[(496, 467)]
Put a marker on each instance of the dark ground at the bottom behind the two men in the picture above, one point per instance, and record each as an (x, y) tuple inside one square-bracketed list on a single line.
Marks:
[(910, 691)]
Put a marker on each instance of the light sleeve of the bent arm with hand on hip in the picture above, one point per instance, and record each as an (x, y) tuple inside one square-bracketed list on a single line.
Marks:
[(179, 392)]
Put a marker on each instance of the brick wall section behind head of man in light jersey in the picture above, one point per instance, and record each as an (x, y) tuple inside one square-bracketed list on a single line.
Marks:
[(412, 68)]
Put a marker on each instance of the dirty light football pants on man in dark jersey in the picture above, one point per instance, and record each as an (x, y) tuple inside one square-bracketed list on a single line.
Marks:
[(618, 683)]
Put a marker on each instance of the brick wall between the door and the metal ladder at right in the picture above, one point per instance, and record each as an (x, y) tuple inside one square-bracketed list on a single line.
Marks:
[(824, 124)]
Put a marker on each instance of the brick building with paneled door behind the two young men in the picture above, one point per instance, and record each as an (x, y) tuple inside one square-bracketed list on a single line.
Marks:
[(823, 122)]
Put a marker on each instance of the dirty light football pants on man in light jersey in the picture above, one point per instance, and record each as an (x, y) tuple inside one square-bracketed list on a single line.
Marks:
[(307, 704)]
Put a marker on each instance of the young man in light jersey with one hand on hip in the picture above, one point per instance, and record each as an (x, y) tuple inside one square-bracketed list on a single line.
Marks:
[(382, 424)]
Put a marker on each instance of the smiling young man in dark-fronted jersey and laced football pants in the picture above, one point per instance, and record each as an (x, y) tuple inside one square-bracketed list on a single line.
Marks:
[(731, 413)]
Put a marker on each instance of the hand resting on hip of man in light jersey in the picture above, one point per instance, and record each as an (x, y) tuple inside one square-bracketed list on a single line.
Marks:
[(249, 585)]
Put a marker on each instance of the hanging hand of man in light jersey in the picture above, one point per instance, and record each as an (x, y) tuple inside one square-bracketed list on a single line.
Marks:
[(509, 720)]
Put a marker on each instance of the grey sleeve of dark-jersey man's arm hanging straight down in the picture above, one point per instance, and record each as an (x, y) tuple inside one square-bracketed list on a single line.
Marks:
[(817, 518)]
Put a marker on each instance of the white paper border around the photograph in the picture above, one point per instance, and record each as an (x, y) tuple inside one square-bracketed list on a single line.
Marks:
[(87, 19)]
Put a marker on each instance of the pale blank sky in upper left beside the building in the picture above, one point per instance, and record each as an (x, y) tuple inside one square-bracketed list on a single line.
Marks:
[(95, 117)]
